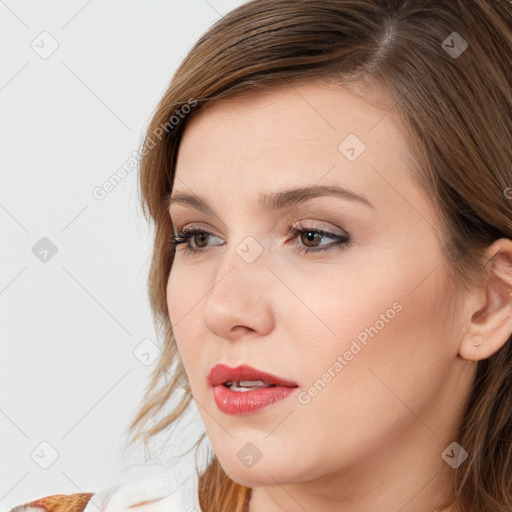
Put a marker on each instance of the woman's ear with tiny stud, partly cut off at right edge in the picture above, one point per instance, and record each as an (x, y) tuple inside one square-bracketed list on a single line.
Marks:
[(489, 324)]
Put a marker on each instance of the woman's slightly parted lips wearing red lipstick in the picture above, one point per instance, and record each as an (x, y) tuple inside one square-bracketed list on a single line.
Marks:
[(243, 390)]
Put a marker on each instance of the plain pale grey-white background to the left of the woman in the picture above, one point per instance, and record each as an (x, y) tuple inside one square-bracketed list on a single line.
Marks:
[(78, 83)]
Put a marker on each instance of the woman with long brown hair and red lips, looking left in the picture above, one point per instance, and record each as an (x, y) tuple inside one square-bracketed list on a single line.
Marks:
[(377, 376)]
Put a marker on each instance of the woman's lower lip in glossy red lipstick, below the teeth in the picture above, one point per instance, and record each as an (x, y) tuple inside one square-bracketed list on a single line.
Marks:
[(246, 402)]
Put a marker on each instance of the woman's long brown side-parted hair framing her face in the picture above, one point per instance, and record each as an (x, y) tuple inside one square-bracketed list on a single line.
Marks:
[(456, 111)]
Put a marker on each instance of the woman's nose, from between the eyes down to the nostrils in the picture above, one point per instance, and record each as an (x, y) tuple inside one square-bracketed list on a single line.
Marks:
[(240, 301)]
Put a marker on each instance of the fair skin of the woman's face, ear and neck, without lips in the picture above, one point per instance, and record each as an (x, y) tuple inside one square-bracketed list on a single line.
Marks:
[(372, 438)]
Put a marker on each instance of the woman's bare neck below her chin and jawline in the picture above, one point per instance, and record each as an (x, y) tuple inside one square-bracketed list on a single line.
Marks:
[(382, 482)]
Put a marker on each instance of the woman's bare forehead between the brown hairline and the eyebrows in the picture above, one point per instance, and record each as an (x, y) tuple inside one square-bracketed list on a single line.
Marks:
[(293, 135)]
